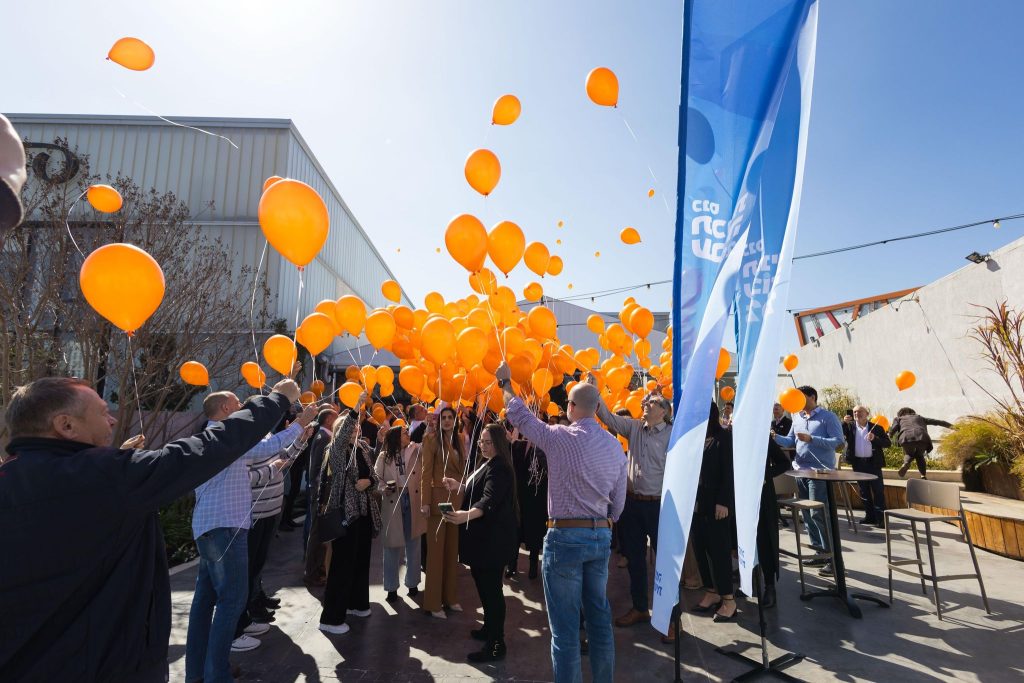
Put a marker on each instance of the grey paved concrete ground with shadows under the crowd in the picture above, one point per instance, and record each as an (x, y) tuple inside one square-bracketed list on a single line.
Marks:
[(906, 644)]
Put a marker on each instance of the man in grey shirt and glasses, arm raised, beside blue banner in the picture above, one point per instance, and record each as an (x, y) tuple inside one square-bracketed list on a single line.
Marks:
[(649, 440)]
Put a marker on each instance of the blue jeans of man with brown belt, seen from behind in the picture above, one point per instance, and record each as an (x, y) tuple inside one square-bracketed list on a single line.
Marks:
[(576, 572)]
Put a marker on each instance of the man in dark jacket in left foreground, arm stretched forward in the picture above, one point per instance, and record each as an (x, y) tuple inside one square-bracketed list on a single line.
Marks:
[(84, 592)]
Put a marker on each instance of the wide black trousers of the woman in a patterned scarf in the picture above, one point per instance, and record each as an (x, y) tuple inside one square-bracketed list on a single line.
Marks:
[(349, 580)]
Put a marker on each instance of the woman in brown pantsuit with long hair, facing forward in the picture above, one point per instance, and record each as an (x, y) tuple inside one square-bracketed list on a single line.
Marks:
[(444, 456)]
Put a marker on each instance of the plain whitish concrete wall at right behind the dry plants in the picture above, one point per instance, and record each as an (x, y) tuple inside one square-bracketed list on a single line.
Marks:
[(926, 333)]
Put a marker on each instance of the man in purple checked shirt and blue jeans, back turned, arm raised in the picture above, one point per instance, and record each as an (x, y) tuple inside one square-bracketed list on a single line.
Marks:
[(586, 493)]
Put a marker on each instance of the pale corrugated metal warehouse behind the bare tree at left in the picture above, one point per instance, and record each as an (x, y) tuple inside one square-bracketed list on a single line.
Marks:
[(201, 169)]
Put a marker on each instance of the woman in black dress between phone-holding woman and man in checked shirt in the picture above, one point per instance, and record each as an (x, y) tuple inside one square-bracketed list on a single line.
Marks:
[(532, 480)]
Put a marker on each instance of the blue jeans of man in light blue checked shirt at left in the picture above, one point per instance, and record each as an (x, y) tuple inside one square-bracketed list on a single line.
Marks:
[(223, 583)]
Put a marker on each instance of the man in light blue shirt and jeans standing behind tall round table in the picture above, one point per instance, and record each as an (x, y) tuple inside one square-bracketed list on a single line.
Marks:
[(817, 434)]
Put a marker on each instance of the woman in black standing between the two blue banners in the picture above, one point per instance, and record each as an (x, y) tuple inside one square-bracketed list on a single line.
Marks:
[(712, 532)]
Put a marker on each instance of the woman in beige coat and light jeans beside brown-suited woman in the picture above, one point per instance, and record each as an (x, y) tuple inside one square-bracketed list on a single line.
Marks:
[(398, 469)]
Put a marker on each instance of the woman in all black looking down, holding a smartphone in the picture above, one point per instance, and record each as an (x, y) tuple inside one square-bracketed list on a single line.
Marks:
[(489, 516)]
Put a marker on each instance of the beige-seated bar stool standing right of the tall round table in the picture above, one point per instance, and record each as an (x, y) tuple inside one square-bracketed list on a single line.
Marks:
[(944, 495)]
